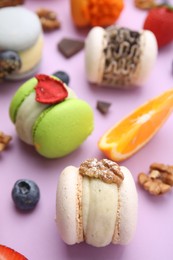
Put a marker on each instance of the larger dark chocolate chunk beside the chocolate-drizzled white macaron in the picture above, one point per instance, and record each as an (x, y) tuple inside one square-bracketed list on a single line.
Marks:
[(69, 47)]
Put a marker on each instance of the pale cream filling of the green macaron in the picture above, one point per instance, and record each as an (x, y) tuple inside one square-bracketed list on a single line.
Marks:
[(28, 113)]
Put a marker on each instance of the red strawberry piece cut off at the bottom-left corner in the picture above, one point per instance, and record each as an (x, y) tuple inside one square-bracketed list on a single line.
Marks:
[(7, 253)]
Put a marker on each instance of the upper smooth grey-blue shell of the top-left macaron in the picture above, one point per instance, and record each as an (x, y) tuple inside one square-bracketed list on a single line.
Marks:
[(19, 28)]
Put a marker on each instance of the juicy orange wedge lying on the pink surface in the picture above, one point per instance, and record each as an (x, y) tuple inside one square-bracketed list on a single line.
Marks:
[(134, 131)]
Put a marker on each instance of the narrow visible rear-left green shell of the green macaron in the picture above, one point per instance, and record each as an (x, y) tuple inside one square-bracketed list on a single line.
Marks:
[(20, 96)]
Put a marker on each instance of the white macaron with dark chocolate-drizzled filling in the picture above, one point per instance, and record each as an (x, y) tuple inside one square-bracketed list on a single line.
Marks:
[(119, 57)]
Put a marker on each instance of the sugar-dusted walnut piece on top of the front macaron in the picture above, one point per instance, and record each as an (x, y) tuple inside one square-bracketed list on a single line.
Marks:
[(105, 170)]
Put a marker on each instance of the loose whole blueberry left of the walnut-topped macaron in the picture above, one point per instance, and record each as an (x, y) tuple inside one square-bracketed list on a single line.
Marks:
[(25, 194)]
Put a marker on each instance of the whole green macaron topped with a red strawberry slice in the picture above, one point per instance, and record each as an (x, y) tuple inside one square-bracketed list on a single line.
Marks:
[(48, 115)]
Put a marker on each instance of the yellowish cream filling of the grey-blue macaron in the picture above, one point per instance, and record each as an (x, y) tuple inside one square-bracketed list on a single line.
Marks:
[(31, 57)]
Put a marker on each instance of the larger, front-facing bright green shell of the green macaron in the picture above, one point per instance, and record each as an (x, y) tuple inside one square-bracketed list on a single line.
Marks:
[(61, 128)]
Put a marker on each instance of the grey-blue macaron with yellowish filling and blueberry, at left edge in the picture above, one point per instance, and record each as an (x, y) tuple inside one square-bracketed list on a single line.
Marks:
[(21, 43)]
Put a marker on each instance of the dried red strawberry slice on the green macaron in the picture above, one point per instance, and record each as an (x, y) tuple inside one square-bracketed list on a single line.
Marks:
[(49, 90)]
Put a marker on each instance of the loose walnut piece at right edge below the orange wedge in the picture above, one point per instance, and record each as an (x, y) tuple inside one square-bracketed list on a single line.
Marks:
[(159, 180)]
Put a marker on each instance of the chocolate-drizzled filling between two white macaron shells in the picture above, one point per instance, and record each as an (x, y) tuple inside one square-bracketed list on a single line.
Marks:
[(122, 56)]
